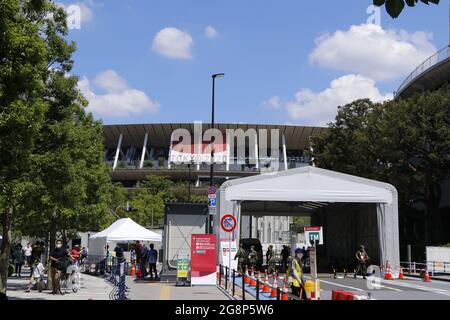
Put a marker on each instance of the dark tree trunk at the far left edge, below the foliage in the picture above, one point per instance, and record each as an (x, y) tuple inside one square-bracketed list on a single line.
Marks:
[(7, 218)]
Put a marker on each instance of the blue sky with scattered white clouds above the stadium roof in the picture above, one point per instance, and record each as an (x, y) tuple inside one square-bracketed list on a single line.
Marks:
[(142, 61)]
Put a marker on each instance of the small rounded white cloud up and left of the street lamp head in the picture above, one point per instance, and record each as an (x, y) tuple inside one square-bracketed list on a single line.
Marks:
[(173, 43)]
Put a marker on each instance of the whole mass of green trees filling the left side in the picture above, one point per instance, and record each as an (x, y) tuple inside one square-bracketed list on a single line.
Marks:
[(52, 177)]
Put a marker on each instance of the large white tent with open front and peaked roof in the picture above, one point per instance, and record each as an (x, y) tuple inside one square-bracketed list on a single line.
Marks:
[(311, 184)]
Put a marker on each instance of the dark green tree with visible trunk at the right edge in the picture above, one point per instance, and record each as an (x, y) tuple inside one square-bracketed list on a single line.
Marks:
[(414, 145)]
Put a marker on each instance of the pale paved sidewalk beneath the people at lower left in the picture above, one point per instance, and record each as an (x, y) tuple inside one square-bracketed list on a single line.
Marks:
[(92, 288)]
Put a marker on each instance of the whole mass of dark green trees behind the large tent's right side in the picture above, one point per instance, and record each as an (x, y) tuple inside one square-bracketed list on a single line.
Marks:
[(403, 142)]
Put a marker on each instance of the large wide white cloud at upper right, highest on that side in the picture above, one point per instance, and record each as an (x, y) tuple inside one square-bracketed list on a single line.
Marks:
[(373, 52)]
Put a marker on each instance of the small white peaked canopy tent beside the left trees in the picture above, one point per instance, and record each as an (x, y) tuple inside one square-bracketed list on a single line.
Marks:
[(122, 230)]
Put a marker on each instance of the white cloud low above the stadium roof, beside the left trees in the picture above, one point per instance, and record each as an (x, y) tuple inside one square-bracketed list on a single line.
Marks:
[(119, 100)]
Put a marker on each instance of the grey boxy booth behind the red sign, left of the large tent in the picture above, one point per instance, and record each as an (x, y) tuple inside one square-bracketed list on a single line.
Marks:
[(181, 220)]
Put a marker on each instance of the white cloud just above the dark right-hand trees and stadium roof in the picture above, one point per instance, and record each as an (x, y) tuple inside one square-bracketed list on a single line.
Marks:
[(320, 108)]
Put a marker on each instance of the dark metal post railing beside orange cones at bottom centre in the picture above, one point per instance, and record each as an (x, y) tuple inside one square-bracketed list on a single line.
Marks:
[(225, 273)]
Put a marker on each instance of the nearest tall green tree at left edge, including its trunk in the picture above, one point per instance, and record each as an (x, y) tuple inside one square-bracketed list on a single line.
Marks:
[(24, 62)]
